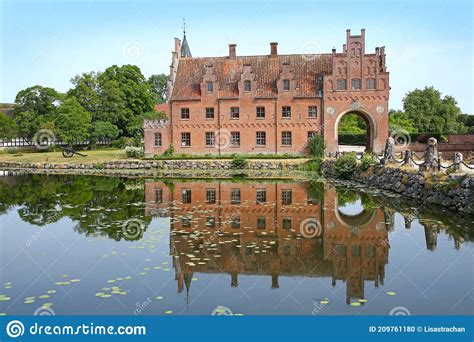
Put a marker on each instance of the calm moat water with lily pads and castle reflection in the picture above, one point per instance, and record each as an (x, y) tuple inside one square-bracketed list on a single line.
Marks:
[(83, 245)]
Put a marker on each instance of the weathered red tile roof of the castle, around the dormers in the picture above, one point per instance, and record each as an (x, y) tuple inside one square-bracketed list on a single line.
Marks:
[(267, 71)]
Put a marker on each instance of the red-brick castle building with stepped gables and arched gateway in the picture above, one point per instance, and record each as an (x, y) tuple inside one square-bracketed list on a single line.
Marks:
[(270, 103)]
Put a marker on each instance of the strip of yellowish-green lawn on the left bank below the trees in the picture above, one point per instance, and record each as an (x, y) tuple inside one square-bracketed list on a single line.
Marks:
[(57, 157)]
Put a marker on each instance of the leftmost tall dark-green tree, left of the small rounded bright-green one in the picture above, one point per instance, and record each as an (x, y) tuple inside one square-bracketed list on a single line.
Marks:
[(35, 108)]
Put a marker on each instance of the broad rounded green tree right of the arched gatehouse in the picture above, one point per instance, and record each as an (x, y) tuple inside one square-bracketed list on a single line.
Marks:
[(432, 113)]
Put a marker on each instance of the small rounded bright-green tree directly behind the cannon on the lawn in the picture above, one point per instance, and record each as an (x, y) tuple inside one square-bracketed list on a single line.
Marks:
[(73, 122)]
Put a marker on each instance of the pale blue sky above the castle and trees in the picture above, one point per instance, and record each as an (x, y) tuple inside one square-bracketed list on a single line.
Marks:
[(48, 42)]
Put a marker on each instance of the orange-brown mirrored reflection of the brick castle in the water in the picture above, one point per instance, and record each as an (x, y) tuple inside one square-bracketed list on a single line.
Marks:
[(260, 229)]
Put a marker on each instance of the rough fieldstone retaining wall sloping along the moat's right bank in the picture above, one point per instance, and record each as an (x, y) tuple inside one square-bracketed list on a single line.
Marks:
[(455, 192)]
